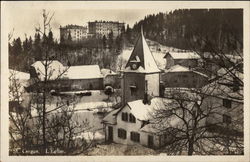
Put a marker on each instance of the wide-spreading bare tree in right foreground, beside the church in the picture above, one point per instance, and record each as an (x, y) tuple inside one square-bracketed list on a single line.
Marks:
[(184, 123)]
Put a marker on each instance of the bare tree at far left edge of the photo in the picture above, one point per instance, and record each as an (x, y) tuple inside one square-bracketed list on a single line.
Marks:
[(18, 115)]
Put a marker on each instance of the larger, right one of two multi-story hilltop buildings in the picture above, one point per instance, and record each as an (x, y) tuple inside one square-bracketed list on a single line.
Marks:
[(101, 28)]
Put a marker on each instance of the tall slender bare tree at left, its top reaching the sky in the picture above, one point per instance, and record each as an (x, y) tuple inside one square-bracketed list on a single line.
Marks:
[(53, 124)]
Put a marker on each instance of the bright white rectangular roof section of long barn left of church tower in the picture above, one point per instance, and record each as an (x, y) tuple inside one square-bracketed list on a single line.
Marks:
[(84, 72)]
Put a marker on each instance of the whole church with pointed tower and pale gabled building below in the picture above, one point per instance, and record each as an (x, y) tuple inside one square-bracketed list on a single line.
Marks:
[(131, 124)]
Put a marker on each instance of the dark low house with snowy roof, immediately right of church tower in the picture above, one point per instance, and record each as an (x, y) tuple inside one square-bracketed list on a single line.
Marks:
[(183, 77)]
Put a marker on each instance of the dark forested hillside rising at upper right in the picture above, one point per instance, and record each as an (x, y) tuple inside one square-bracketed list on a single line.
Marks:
[(182, 28)]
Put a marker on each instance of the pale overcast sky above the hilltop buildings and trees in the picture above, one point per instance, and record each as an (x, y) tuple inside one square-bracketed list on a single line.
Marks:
[(24, 20)]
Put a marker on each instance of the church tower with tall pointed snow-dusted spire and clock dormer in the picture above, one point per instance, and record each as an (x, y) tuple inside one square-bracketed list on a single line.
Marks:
[(141, 75)]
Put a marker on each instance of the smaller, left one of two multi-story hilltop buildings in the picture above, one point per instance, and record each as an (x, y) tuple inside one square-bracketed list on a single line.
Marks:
[(76, 32)]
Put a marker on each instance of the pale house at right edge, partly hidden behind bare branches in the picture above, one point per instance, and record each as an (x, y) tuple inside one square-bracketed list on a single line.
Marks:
[(227, 99)]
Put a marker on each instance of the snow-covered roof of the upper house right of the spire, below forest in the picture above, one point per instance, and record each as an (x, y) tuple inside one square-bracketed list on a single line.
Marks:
[(183, 55)]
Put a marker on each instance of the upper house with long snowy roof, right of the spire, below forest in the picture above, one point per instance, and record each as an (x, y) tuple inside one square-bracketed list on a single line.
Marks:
[(187, 59)]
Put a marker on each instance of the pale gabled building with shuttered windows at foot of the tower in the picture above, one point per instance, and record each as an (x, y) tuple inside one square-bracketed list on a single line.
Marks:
[(133, 124)]
